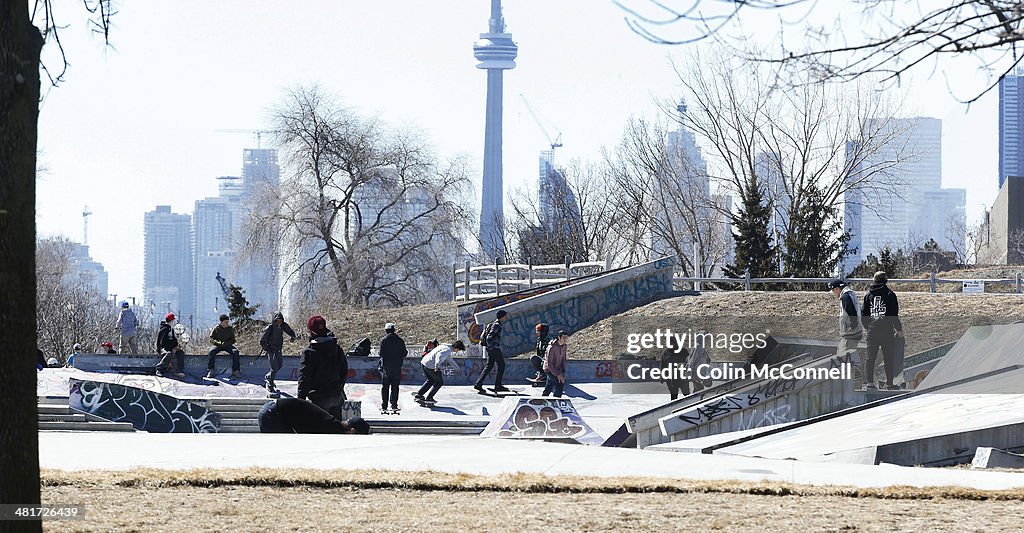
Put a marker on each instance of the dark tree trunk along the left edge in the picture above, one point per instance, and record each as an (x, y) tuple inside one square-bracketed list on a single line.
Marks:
[(20, 48)]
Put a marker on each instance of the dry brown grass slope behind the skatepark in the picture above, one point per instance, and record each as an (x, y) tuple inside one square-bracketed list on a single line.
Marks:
[(933, 320)]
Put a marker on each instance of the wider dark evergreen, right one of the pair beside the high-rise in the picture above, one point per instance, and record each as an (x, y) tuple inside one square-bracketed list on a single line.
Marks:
[(817, 242)]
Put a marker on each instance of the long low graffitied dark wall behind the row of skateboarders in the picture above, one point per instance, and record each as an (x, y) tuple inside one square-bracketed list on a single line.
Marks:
[(361, 370)]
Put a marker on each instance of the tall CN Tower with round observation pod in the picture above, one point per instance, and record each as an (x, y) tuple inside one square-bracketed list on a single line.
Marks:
[(496, 54)]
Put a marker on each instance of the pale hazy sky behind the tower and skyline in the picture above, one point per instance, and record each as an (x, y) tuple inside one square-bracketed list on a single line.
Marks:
[(135, 124)]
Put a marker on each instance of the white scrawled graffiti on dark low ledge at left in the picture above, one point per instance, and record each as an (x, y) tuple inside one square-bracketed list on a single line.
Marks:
[(147, 411)]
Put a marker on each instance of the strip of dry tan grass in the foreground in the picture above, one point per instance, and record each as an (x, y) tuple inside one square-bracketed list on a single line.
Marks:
[(361, 501)]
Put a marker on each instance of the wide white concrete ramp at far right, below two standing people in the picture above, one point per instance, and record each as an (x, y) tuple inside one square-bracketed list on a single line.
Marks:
[(937, 428)]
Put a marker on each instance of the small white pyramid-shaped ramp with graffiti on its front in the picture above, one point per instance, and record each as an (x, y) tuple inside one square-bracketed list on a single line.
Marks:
[(541, 419)]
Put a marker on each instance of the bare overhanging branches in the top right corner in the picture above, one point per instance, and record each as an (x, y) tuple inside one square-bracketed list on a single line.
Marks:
[(893, 37)]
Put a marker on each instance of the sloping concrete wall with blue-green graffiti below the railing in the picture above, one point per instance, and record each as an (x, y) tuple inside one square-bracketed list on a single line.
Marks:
[(580, 305)]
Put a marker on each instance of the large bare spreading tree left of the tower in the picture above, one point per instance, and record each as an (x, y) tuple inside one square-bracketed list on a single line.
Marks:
[(367, 207)]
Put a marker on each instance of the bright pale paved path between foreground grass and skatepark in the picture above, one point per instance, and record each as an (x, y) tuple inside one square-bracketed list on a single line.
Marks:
[(73, 452)]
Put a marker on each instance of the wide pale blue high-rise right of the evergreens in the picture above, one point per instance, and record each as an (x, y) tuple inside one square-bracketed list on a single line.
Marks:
[(913, 208)]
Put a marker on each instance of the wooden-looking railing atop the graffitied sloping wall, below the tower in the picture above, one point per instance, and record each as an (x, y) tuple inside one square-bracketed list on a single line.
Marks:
[(478, 283)]
